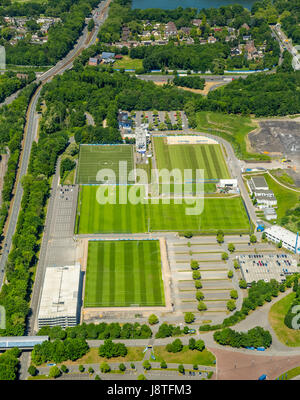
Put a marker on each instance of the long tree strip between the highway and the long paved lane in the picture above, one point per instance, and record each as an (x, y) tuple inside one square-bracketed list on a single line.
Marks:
[(15, 293)]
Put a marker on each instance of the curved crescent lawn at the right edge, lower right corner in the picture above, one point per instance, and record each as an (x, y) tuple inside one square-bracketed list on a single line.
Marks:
[(289, 337)]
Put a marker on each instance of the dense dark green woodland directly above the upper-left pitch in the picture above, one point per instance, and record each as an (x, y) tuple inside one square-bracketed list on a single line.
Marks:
[(104, 92)]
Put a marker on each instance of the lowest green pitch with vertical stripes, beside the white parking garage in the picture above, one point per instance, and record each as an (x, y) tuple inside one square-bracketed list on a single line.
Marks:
[(123, 274)]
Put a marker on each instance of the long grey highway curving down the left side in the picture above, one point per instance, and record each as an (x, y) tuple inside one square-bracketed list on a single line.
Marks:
[(85, 40)]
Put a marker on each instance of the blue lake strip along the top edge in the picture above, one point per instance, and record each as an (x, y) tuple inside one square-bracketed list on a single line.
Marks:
[(170, 4)]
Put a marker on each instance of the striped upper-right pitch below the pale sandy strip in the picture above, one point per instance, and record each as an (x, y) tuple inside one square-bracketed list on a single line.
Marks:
[(191, 156)]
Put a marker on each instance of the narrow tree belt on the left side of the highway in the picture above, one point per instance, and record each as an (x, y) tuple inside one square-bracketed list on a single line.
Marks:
[(13, 119)]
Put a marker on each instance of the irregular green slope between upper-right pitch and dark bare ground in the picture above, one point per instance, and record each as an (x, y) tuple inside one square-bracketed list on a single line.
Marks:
[(233, 128)]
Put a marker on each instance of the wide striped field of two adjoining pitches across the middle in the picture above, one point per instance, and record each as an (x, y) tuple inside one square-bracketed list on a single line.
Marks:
[(219, 213)]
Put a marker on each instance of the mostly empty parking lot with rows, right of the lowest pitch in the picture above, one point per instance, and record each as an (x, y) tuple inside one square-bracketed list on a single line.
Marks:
[(216, 285)]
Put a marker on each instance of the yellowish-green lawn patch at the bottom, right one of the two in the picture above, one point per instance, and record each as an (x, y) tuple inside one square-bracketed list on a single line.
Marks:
[(186, 356)]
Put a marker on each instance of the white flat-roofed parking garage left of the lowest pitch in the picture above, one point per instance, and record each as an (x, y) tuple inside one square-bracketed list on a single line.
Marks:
[(59, 304)]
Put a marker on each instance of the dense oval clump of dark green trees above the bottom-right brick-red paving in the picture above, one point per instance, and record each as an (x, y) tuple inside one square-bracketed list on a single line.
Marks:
[(256, 337)]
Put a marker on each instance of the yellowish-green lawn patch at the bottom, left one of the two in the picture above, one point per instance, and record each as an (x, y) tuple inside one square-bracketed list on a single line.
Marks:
[(92, 357)]
